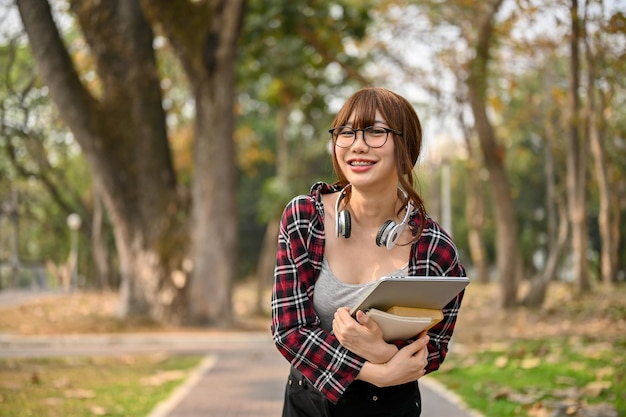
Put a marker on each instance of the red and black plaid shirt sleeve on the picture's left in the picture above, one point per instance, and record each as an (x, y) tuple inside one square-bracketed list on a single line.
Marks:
[(295, 327)]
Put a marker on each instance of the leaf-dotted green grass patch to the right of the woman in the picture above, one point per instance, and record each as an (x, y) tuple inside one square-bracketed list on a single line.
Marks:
[(534, 377)]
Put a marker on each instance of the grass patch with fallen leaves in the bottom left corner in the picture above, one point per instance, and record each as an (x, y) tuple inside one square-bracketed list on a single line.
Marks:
[(89, 386)]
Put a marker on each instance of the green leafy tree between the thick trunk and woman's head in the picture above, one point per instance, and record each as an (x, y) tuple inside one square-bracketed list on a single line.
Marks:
[(293, 56)]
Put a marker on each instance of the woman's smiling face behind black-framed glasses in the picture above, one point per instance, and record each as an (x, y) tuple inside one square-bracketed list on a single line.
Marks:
[(366, 166)]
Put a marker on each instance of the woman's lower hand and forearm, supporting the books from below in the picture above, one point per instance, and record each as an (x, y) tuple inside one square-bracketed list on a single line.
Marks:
[(407, 365)]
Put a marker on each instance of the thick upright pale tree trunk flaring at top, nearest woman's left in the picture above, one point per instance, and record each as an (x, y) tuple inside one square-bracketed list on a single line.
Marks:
[(204, 36)]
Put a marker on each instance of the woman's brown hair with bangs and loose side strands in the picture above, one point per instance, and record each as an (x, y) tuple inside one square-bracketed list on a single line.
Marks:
[(399, 115)]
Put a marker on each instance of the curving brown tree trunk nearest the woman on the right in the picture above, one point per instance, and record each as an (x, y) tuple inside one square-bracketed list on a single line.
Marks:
[(507, 246)]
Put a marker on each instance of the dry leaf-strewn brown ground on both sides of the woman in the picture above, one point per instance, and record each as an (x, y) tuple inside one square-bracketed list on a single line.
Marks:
[(599, 318)]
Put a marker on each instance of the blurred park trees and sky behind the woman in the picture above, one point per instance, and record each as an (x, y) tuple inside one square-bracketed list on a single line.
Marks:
[(148, 148)]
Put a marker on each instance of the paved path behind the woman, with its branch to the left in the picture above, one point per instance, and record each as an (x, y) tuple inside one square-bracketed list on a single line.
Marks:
[(242, 373)]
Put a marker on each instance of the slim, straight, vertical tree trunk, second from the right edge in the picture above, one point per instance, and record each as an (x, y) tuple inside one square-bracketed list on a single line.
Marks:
[(577, 164)]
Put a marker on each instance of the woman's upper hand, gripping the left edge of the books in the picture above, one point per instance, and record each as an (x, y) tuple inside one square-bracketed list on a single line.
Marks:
[(362, 336)]
